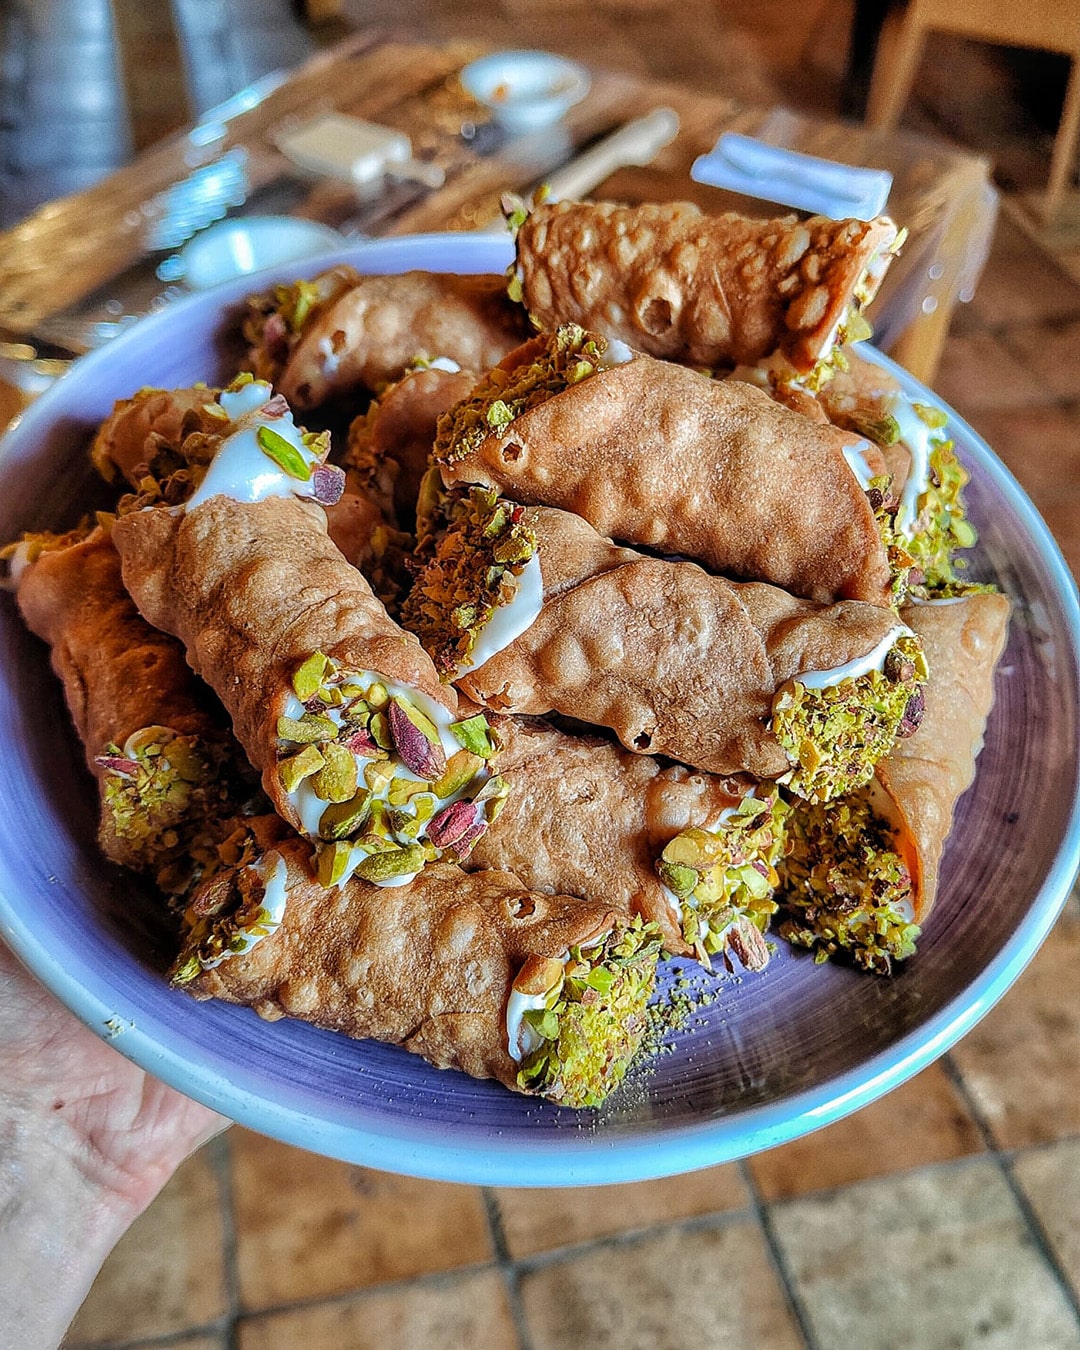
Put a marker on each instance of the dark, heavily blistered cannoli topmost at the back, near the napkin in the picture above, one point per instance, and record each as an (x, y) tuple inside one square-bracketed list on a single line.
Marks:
[(705, 291)]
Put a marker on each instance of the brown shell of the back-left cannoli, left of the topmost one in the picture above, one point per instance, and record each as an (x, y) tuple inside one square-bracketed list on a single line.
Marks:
[(372, 333)]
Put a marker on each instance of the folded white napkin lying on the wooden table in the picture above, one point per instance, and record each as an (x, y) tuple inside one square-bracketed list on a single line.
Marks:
[(773, 173)]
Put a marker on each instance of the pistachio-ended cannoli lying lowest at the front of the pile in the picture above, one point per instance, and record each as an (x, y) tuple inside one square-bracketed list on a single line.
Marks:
[(545, 993)]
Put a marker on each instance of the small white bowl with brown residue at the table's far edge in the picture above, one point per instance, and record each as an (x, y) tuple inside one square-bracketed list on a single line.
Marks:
[(526, 90)]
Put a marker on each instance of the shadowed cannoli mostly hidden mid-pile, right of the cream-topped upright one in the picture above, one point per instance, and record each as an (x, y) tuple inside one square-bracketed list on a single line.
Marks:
[(389, 446)]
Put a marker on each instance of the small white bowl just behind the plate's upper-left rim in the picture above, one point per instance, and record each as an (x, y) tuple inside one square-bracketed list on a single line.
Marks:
[(250, 244)]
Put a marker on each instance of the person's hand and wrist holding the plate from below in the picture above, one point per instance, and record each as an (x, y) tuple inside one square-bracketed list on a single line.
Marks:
[(87, 1141)]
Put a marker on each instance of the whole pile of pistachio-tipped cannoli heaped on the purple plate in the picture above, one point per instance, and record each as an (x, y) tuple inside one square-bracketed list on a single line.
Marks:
[(639, 635)]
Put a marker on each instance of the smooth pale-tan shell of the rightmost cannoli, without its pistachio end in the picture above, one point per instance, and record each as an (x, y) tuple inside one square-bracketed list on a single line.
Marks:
[(927, 773)]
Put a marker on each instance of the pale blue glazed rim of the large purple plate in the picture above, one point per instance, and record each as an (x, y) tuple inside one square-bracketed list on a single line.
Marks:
[(596, 1160)]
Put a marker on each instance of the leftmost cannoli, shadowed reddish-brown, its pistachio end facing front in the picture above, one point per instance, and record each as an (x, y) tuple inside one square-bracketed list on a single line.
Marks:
[(157, 746)]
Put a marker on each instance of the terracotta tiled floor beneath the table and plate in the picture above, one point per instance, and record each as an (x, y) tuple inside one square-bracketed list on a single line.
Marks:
[(943, 1218)]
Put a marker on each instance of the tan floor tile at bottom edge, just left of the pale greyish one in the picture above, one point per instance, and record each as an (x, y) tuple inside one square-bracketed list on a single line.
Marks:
[(708, 1289)]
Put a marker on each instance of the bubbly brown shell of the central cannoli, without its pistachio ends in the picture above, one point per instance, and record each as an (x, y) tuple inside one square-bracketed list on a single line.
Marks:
[(674, 661)]
